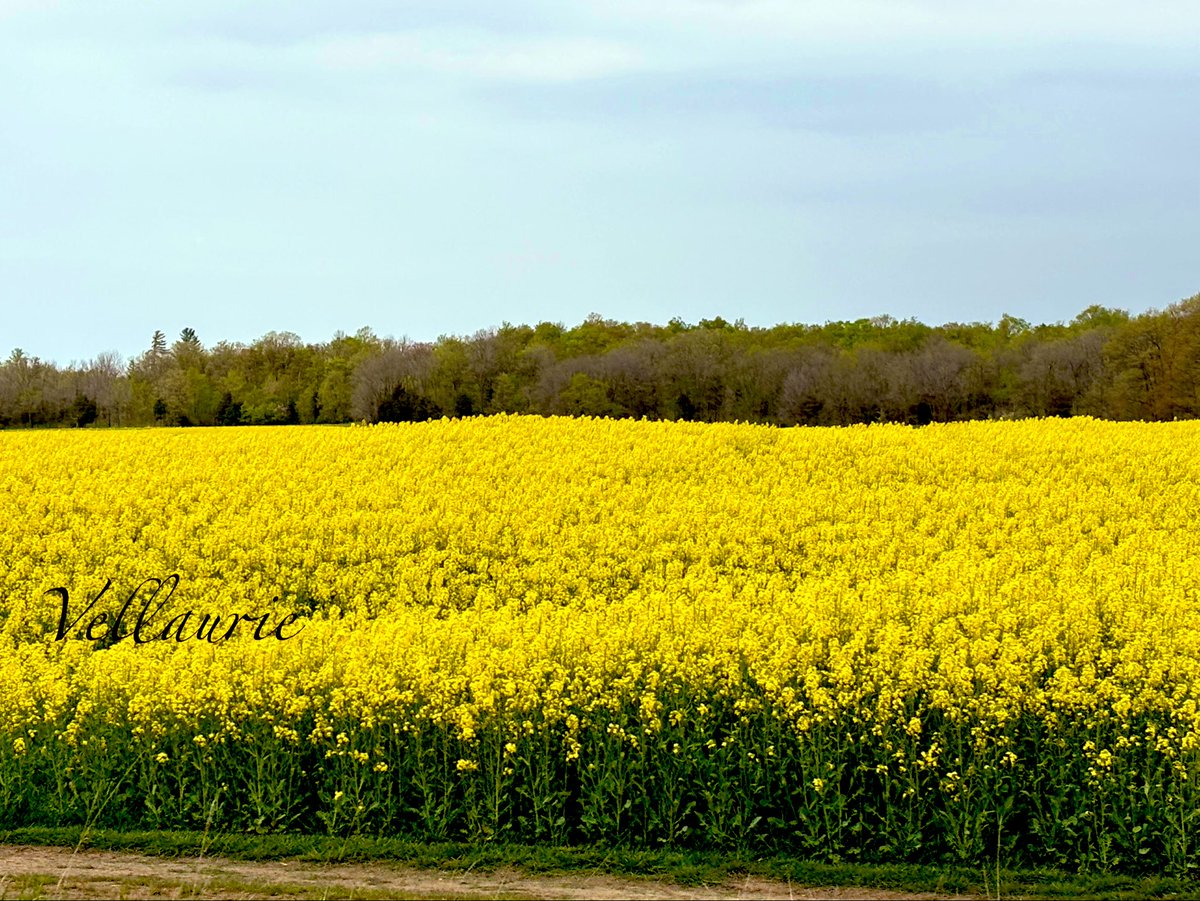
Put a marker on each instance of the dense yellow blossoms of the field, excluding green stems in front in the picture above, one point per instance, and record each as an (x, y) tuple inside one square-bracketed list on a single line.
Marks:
[(512, 574)]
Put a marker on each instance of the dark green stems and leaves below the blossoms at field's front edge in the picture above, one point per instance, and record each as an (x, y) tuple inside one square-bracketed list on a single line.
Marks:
[(709, 778)]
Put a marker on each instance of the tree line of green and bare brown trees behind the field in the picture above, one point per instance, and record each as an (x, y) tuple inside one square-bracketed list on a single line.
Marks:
[(1105, 363)]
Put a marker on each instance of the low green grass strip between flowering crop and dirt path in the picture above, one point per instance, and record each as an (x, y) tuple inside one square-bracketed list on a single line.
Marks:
[(687, 868)]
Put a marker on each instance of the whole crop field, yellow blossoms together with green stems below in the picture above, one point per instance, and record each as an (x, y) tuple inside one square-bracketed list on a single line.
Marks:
[(873, 644)]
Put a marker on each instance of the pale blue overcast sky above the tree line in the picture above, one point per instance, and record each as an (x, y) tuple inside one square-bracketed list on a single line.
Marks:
[(445, 166)]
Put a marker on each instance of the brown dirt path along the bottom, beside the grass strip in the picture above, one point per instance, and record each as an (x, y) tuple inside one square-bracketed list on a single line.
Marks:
[(46, 873)]
